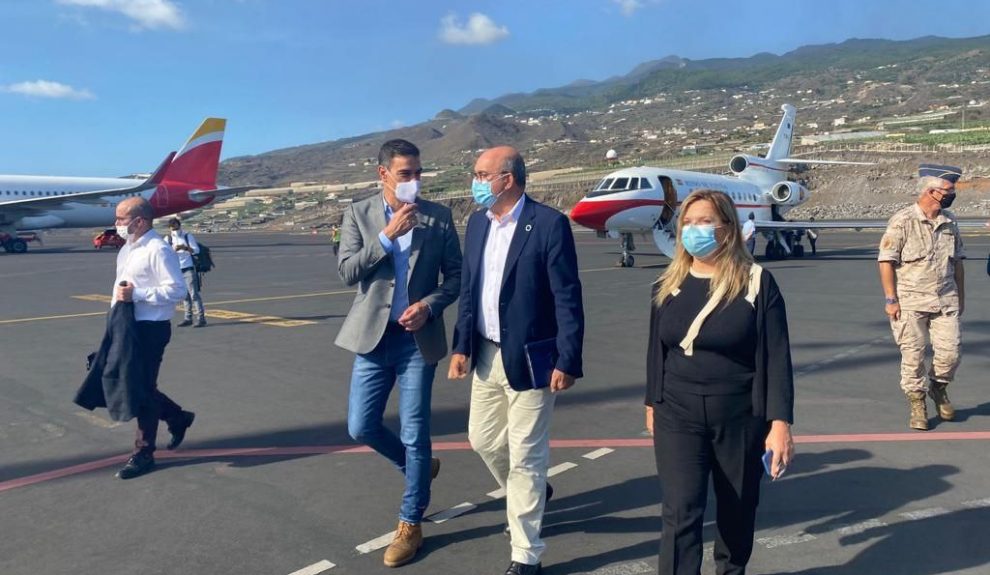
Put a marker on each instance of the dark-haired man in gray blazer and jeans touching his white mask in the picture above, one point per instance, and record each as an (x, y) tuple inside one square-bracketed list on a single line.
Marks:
[(394, 247)]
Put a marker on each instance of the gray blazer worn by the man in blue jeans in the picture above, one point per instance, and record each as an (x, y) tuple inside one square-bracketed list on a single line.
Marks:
[(362, 261)]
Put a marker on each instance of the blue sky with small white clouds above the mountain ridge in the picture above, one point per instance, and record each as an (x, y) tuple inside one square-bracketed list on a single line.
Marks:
[(108, 87)]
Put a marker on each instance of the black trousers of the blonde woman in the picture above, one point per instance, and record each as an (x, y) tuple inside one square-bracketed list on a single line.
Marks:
[(697, 437)]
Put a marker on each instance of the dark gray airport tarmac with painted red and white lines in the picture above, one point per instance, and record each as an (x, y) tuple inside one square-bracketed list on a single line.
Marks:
[(268, 481)]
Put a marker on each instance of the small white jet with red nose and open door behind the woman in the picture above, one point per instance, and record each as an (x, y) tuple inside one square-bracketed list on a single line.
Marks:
[(645, 200)]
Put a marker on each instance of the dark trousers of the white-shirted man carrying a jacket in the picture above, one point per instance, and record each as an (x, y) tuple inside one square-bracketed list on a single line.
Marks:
[(153, 336)]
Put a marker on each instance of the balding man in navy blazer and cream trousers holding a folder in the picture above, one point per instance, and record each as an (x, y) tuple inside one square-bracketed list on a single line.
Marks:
[(519, 285)]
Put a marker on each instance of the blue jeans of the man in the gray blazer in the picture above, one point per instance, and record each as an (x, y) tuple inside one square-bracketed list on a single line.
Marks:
[(396, 358)]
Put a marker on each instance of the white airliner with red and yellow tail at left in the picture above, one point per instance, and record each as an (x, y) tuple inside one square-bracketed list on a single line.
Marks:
[(184, 181)]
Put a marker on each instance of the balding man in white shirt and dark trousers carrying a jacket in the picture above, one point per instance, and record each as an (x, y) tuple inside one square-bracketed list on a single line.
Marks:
[(148, 275)]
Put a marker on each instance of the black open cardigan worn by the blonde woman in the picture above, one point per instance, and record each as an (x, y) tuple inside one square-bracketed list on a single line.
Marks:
[(773, 381)]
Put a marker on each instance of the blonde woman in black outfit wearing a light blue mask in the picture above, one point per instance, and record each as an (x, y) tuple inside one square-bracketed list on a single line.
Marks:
[(719, 386)]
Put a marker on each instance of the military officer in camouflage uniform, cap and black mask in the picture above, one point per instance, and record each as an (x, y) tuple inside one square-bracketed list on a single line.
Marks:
[(921, 270)]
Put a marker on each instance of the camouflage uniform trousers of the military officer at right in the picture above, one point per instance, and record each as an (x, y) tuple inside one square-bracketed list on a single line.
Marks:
[(912, 332)]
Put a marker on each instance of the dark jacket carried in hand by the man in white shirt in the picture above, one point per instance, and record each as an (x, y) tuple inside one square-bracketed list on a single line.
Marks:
[(117, 378)]
